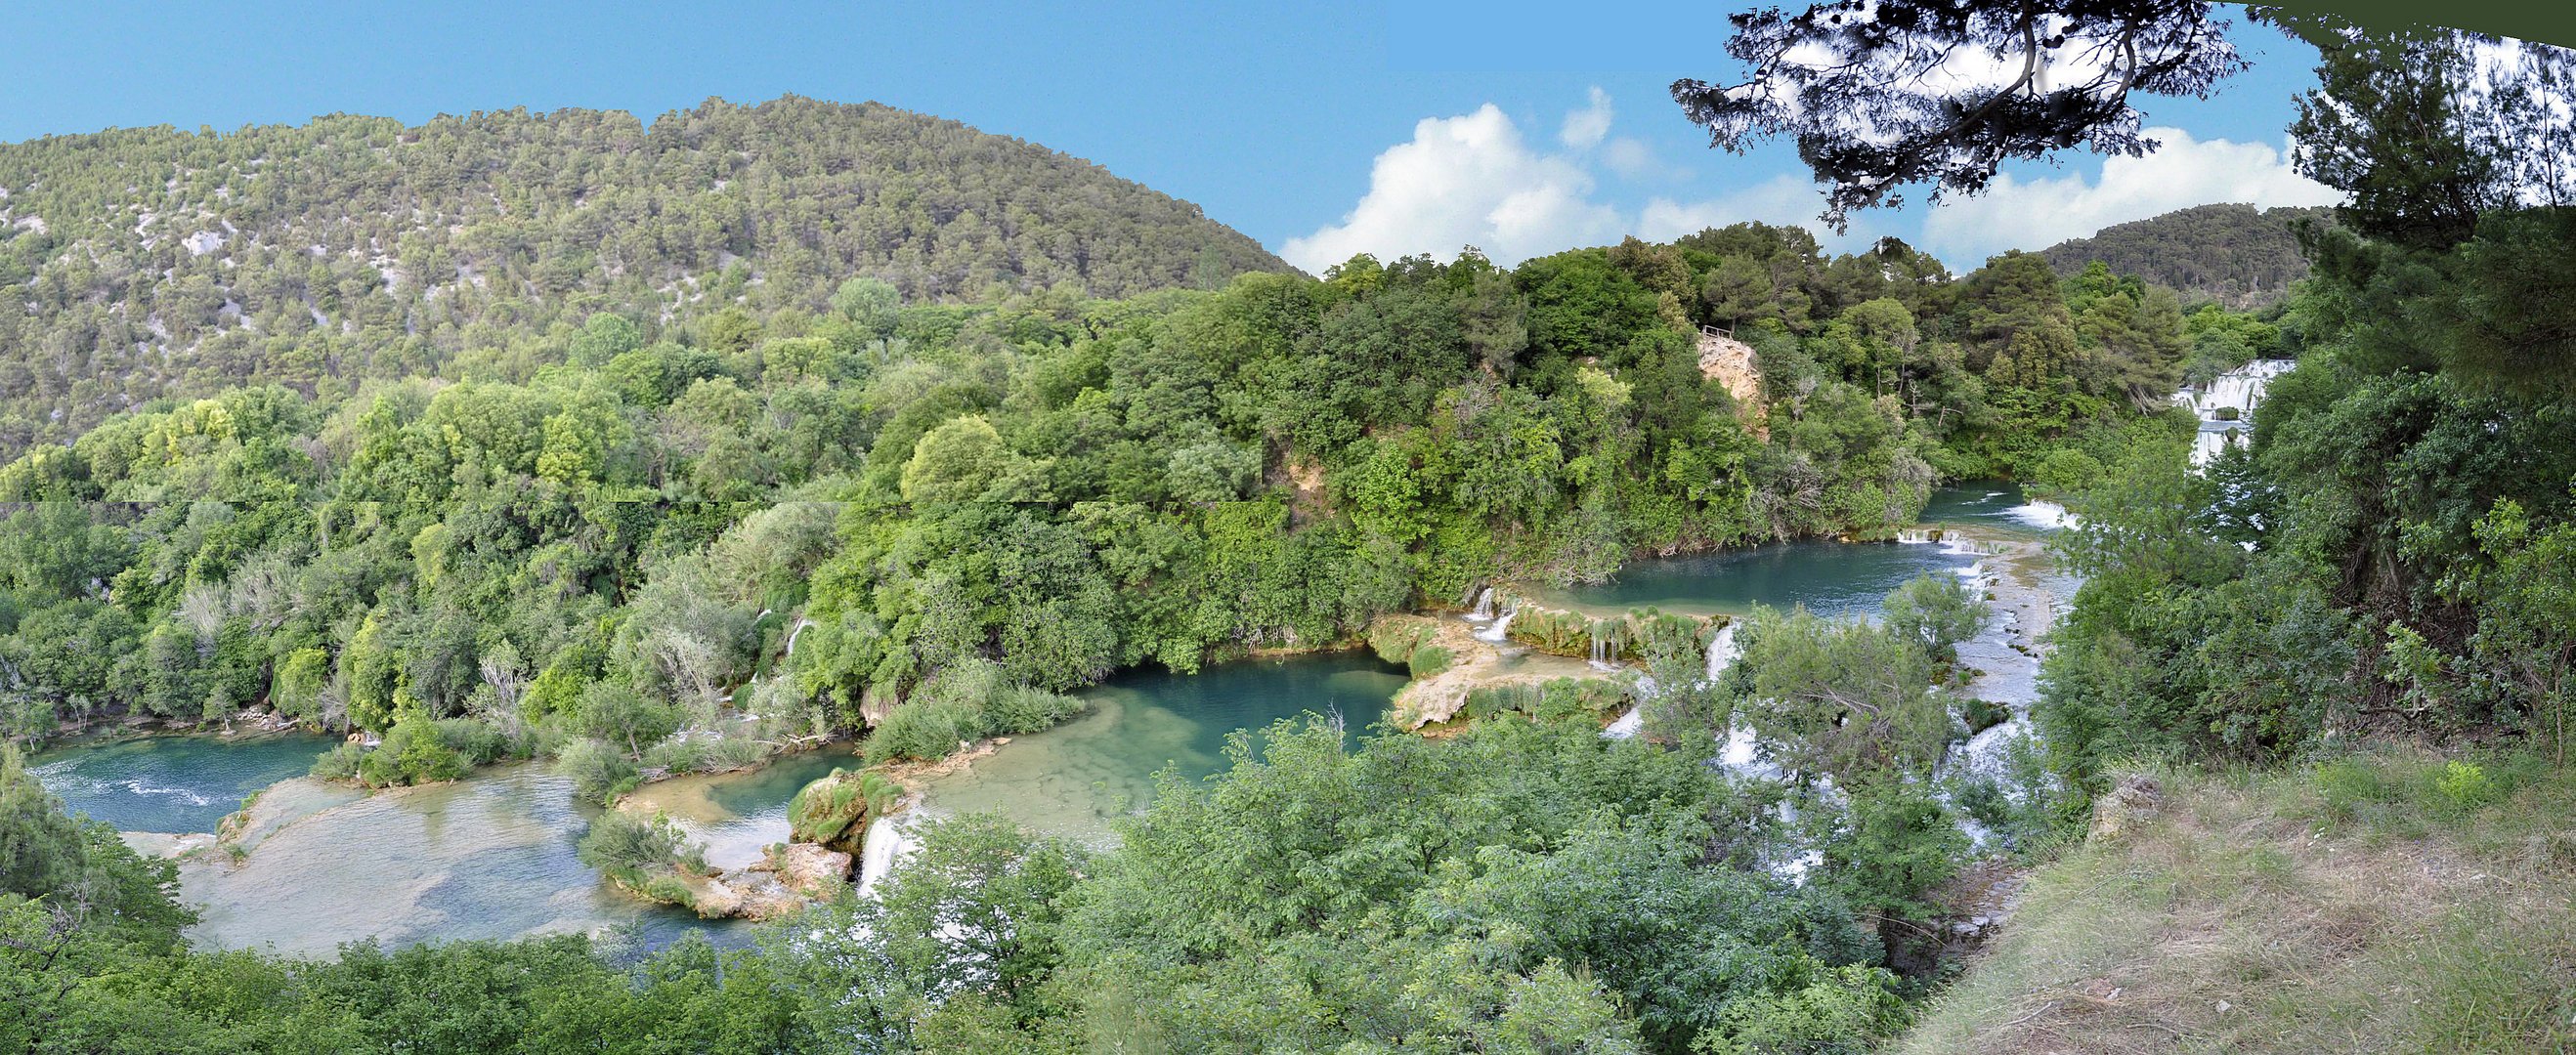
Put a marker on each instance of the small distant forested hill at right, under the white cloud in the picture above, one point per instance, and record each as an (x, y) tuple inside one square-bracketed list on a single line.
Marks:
[(2235, 253)]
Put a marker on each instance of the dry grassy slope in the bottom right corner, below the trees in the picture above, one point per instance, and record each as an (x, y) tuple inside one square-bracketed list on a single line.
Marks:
[(2353, 907)]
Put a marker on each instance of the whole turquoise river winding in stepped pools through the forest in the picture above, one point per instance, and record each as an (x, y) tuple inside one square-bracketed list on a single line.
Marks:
[(493, 856)]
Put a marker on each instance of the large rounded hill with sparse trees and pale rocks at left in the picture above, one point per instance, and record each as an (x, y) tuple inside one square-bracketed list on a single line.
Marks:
[(158, 261)]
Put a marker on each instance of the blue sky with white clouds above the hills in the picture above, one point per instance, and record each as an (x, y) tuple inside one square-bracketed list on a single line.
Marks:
[(1315, 130)]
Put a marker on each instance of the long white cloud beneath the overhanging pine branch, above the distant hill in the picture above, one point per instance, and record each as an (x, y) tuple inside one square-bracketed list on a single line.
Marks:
[(2016, 215)]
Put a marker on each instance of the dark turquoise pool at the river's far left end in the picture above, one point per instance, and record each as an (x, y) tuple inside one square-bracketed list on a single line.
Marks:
[(171, 784)]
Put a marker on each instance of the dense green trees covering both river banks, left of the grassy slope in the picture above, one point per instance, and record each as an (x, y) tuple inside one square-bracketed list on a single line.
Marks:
[(648, 547)]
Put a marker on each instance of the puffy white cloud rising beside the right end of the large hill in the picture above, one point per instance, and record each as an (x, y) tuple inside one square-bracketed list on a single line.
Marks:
[(1464, 181)]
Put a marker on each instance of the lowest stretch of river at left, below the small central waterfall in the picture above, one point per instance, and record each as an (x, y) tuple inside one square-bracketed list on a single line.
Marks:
[(491, 856)]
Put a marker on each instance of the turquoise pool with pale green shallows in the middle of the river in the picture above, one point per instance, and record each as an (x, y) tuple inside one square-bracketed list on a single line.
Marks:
[(1075, 778)]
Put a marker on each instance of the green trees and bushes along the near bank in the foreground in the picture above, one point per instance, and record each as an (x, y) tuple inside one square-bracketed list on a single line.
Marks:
[(1557, 894)]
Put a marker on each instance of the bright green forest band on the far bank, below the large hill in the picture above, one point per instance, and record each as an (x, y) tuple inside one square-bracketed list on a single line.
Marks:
[(650, 544)]
